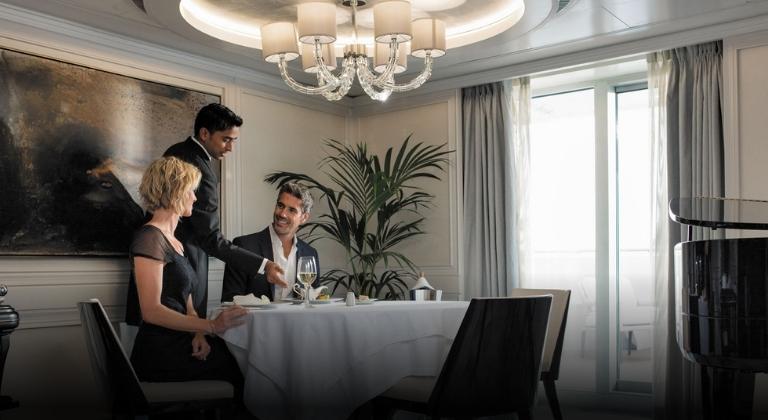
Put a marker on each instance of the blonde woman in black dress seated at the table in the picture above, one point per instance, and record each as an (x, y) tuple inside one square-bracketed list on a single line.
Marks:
[(171, 344)]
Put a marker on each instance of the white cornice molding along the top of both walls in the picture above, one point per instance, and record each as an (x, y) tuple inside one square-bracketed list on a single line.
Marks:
[(40, 29)]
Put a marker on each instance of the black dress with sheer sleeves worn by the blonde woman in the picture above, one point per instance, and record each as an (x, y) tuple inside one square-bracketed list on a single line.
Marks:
[(161, 354)]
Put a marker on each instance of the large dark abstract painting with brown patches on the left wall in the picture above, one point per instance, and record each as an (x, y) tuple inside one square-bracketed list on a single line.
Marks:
[(74, 143)]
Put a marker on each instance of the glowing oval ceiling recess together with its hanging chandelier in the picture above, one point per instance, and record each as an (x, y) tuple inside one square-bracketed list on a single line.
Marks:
[(354, 30)]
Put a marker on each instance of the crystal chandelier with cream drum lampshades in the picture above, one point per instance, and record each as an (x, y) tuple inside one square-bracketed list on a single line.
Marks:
[(395, 37)]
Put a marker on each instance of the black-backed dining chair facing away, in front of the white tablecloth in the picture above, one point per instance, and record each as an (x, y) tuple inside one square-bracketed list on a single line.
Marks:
[(492, 368)]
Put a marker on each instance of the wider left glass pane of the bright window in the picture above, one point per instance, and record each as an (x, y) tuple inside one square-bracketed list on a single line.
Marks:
[(562, 222)]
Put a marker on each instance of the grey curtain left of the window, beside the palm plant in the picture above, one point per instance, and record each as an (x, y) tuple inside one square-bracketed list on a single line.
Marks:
[(489, 248)]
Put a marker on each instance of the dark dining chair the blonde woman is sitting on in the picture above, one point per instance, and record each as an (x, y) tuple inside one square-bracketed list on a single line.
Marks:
[(133, 399)]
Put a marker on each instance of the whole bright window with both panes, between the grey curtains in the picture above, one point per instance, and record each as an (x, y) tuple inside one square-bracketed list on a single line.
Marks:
[(590, 226)]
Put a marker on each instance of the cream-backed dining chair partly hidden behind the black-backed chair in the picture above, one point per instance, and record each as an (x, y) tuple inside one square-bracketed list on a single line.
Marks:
[(553, 345)]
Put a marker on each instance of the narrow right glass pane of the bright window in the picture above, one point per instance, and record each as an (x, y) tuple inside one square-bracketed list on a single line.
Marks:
[(634, 269)]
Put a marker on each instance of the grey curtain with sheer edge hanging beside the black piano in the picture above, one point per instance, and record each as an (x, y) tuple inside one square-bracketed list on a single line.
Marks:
[(691, 127)]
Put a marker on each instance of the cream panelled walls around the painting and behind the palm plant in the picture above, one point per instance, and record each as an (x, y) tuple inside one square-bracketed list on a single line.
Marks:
[(48, 363)]
